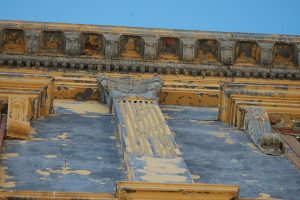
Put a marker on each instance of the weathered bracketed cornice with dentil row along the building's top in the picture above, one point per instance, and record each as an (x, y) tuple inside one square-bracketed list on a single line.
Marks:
[(91, 47)]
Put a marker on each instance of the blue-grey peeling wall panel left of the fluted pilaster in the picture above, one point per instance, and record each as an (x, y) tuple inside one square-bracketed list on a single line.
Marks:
[(67, 152)]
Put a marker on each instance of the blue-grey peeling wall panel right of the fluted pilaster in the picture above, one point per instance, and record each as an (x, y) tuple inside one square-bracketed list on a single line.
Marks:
[(221, 154)]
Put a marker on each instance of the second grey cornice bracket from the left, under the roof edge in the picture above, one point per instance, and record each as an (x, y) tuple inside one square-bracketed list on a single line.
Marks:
[(73, 43)]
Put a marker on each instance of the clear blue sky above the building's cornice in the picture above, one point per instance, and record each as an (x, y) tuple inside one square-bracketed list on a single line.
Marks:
[(255, 16)]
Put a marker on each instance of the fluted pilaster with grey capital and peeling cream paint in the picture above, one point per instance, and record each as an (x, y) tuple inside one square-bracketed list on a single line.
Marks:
[(145, 136)]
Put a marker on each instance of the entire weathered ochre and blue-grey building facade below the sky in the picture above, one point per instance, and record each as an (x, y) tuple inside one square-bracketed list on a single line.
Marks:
[(100, 112)]
